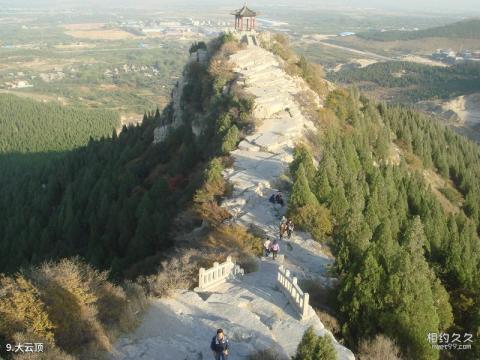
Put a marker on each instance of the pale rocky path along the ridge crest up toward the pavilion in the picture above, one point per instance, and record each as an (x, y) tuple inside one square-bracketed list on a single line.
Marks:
[(253, 312)]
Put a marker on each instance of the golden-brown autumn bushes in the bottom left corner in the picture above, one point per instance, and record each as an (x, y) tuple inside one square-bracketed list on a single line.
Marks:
[(69, 305)]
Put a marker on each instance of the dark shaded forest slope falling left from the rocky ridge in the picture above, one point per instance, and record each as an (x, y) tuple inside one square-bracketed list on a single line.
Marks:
[(113, 201)]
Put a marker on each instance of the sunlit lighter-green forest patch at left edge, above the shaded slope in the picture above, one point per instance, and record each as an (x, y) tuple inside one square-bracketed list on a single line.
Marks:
[(28, 126)]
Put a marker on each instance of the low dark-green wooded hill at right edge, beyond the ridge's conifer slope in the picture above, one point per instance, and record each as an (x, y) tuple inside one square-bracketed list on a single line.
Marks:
[(416, 81)]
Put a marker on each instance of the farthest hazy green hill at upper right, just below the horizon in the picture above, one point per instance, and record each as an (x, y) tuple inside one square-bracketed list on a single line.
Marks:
[(468, 29)]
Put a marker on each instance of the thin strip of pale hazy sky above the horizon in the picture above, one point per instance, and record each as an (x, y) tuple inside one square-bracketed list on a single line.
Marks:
[(467, 6)]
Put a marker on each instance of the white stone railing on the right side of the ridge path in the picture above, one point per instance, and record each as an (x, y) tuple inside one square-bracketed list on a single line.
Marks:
[(291, 289)]
